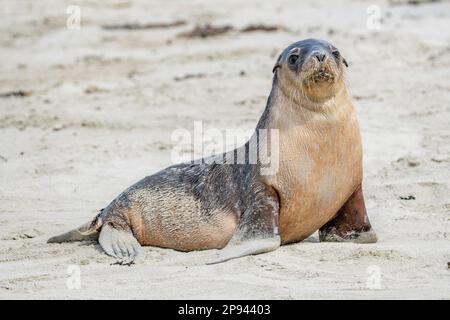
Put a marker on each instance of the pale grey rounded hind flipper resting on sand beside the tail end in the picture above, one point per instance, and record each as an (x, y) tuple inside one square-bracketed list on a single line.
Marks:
[(119, 244)]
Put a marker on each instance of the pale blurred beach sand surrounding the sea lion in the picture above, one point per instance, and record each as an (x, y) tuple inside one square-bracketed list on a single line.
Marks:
[(85, 113)]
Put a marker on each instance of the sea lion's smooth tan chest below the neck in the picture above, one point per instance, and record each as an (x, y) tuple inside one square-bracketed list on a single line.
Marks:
[(320, 165)]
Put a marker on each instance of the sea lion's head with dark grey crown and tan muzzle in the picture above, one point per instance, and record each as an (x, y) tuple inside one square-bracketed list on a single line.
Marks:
[(310, 68)]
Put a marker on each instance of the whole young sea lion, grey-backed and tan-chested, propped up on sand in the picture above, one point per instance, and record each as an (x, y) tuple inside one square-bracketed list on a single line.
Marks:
[(220, 204)]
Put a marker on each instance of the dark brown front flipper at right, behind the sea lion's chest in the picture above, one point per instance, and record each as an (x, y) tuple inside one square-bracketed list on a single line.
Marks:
[(351, 224)]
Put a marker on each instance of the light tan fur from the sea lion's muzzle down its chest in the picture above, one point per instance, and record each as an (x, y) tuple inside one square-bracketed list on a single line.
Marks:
[(320, 150)]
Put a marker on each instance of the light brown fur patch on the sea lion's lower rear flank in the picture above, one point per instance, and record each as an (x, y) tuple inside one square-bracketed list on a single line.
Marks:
[(177, 222)]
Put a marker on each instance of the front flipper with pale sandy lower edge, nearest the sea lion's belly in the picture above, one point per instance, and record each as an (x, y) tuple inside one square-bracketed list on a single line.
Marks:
[(258, 229)]
